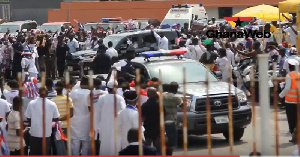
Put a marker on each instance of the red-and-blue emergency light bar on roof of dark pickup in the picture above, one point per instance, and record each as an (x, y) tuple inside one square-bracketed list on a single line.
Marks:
[(160, 53)]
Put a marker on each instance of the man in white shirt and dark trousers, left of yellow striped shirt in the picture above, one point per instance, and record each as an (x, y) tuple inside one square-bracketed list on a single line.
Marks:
[(34, 114)]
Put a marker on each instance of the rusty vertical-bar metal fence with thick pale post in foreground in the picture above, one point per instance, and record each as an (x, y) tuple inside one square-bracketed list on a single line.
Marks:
[(264, 103)]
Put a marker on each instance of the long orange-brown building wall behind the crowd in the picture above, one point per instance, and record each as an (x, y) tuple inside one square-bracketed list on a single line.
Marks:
[(94, 11)]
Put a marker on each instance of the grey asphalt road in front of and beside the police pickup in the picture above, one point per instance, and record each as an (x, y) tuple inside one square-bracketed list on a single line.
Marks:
[(197, 145)]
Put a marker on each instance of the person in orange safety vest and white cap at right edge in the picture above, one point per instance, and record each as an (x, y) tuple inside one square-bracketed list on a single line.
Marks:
[(291, 93)]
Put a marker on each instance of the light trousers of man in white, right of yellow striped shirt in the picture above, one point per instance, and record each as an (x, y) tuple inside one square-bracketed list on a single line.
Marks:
[(82, 147)]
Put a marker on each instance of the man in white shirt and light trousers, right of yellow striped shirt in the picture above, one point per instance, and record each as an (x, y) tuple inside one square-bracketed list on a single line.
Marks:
[(80, 122)]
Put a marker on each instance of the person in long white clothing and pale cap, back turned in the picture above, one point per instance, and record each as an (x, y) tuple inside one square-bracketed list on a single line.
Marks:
[(104, 119)]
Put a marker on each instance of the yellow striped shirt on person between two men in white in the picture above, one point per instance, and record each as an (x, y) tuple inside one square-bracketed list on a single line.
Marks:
[(61, 103)]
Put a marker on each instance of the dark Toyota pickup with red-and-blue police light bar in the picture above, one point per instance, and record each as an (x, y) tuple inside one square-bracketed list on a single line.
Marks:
[(171, 65)]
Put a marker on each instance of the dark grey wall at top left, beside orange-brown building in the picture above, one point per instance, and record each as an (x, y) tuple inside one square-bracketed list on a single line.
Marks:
[(32, 9)]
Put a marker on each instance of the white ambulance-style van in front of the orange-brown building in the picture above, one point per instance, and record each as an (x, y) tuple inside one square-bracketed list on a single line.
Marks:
[(185, 13)]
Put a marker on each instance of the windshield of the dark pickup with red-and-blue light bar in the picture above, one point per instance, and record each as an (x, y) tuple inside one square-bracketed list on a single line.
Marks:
[(195, 72)]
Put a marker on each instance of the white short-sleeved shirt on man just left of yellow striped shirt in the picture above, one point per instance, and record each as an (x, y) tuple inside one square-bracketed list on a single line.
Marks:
[(34, 111)]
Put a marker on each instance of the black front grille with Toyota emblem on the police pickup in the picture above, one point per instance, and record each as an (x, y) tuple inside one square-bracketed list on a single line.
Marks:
[(216, 103)]
